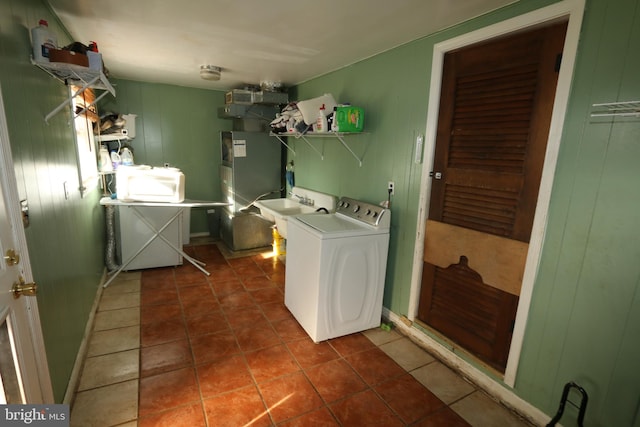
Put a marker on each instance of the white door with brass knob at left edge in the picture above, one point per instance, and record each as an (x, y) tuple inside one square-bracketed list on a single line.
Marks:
[(24, 374)]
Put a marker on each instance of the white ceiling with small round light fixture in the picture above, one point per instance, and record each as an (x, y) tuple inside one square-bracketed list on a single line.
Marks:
[(253, 41)]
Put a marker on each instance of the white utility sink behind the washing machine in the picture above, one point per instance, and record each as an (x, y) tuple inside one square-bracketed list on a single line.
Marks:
[(277, 210)]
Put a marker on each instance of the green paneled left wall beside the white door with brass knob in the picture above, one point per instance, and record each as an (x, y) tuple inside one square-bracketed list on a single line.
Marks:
[(66, 236)]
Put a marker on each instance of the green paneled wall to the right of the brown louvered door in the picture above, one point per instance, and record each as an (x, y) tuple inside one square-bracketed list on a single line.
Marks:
[(584, 323)]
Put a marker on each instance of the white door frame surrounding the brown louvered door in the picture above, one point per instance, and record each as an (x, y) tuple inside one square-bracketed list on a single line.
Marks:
[(573, 10)]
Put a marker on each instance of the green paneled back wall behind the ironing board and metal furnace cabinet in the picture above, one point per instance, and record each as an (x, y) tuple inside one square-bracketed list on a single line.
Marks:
[(179, 126)]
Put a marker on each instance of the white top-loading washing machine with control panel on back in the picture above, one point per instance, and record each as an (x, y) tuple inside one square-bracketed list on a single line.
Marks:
[(336, 267)]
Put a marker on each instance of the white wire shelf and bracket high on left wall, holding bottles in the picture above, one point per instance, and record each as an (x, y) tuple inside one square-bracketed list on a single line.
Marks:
[(76, 75)]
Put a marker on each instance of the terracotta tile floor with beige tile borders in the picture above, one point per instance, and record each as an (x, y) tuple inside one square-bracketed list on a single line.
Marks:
[(223, 350)]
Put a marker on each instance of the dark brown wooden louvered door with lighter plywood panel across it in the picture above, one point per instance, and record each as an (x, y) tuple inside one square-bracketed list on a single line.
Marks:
[(495, 110)]
